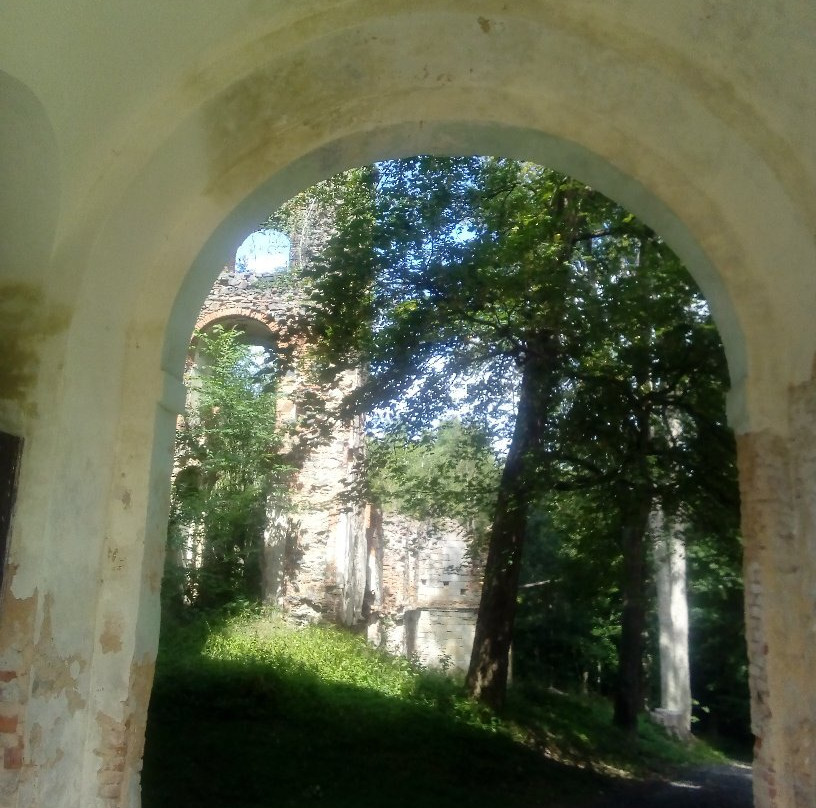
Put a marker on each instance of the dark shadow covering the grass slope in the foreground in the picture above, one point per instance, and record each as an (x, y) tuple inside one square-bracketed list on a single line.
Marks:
[(244, 736)]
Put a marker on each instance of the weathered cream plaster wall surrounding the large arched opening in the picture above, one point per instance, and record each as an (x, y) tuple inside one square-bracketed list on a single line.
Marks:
[(144, 140)]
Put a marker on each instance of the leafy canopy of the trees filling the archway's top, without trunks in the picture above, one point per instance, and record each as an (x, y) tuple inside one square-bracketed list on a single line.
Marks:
[(452, 274)]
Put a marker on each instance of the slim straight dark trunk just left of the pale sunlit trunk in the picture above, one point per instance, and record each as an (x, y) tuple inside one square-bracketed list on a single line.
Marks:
[(629, 694)]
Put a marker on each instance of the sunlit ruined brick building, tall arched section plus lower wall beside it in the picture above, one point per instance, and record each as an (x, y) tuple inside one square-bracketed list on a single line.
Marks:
[(409, 584)]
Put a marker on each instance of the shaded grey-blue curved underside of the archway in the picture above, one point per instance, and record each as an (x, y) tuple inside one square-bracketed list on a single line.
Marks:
[(445, 139)]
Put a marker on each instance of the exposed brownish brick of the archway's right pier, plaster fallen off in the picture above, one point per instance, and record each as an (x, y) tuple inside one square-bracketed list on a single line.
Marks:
[(778, 484)]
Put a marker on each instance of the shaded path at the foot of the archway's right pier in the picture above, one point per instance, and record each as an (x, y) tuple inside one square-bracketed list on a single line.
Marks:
[(710, 787)]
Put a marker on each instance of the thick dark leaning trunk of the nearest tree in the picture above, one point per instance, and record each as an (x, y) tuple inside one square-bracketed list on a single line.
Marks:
[(489, 661)]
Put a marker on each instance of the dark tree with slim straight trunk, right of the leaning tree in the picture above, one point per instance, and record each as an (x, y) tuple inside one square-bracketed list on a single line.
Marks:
[(644, 419)]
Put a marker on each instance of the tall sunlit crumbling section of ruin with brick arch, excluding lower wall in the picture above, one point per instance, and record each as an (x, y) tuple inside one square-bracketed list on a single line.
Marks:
[(316, 553)]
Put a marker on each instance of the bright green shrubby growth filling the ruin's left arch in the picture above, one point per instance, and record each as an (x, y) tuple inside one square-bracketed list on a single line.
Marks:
[(228, 468)]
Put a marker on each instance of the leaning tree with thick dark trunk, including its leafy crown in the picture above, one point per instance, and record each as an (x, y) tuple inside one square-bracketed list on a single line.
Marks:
[(446, 274)]
